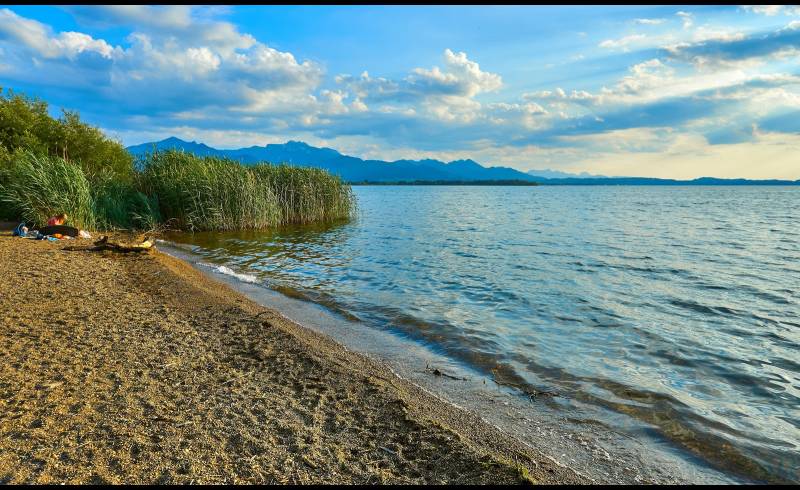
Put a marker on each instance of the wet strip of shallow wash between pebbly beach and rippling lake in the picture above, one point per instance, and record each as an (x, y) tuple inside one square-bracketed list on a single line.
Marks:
[(575, 435)]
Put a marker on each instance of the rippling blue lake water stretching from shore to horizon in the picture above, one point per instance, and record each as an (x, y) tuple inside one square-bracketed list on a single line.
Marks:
[(674, 311)]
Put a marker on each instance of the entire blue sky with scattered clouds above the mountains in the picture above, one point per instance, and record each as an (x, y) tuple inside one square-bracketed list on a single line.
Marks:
[(659, 91)]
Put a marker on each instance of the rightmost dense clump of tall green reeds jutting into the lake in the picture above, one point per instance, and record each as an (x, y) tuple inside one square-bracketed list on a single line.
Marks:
[(210, 193)]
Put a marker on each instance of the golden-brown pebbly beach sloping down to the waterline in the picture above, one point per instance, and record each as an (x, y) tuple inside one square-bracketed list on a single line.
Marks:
[(127, 368)]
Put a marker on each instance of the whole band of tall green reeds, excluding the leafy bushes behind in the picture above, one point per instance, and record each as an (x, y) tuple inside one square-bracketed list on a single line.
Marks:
[(186, 191)]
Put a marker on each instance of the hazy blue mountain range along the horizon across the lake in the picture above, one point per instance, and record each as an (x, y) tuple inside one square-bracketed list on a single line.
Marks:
[(356, 170)]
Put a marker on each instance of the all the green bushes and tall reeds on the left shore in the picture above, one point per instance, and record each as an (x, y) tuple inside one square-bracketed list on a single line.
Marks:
[(50, 166)]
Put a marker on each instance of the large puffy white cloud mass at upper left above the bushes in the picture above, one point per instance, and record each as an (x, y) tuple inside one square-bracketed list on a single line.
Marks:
[(212, 65)]
